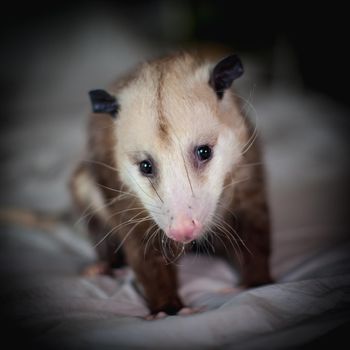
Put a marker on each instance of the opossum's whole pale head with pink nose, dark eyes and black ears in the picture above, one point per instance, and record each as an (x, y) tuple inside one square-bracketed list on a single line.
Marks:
[(179, 134)]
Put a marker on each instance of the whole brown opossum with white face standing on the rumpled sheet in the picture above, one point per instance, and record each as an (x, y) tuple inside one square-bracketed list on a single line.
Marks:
[(172, 160)]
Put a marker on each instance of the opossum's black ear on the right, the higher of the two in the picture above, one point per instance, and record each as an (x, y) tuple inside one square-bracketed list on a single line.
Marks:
[(224, 73)]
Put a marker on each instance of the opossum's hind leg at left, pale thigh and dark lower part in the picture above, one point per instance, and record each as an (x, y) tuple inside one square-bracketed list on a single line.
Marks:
[(91, 209)]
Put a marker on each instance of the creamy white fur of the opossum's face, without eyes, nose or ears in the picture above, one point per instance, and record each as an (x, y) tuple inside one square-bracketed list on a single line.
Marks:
[(194, 116)]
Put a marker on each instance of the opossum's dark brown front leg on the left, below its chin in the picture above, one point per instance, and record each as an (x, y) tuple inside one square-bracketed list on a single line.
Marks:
[(157, 278)]
